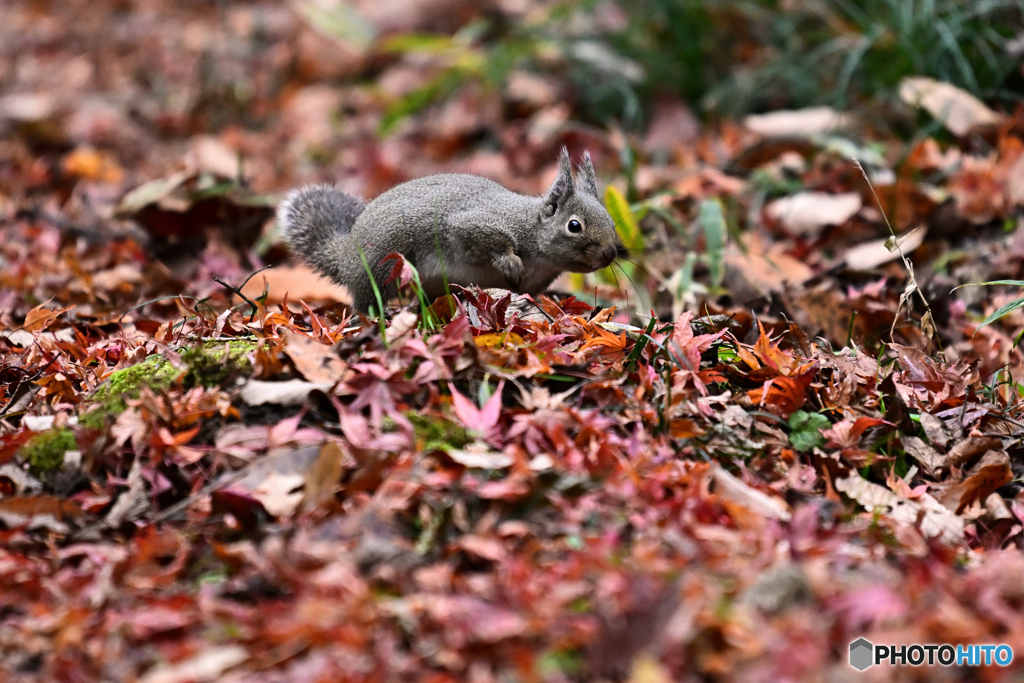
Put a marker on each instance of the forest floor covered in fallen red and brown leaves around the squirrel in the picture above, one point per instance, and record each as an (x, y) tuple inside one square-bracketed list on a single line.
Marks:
[(214, 473)]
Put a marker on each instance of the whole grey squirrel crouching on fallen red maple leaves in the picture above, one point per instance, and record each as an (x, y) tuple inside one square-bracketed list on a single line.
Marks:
[(455, 230)]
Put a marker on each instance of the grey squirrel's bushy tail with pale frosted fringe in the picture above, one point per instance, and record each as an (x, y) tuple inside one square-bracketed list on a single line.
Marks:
[(313, 219)]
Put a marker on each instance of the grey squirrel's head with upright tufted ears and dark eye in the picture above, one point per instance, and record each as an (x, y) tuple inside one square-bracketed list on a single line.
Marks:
[(576, 229)]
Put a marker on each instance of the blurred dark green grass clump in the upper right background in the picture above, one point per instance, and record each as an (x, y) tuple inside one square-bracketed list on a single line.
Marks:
[(743, 56)]
